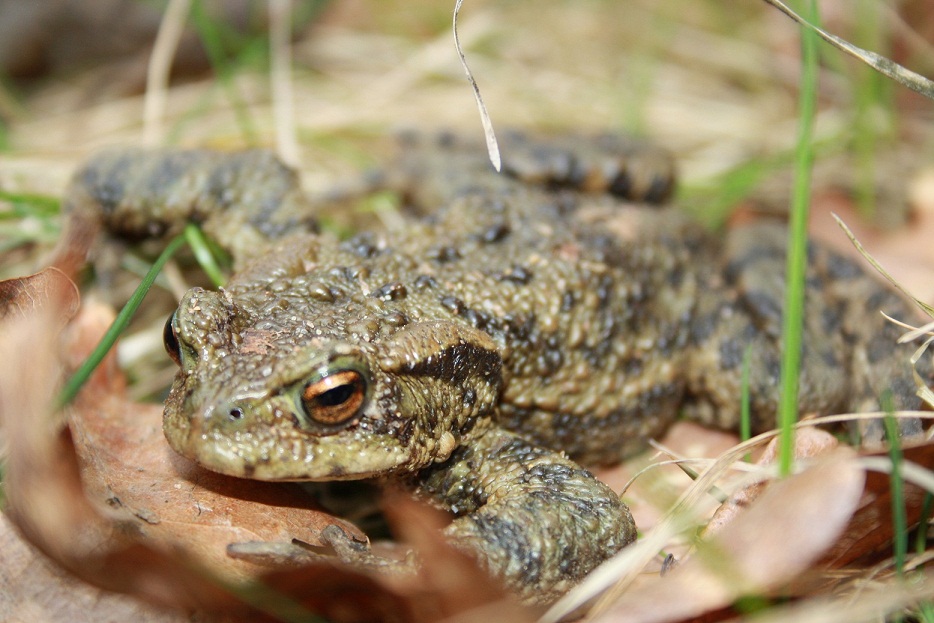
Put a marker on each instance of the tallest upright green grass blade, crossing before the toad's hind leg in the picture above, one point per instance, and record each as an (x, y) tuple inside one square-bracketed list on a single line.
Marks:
[(797, 246)]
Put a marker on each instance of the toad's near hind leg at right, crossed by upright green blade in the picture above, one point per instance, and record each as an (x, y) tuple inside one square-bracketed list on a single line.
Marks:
[(849, 355)]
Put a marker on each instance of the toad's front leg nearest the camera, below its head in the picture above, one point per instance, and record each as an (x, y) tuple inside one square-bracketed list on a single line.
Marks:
[(533, 518)]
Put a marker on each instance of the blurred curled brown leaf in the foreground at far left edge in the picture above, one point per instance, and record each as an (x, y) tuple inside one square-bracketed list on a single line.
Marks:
[(45, 498)]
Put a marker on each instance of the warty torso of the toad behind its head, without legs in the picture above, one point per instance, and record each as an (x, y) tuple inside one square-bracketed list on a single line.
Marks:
[(589, 299)]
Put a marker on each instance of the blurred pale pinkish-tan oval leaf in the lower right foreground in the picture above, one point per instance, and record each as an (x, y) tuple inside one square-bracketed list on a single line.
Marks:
[(790, 525)]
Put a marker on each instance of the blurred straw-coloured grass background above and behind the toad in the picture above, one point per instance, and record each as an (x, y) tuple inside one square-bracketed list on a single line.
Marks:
[(715, 82)]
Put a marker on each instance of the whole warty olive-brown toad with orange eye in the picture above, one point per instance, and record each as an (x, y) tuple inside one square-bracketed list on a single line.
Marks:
[(516, 327)]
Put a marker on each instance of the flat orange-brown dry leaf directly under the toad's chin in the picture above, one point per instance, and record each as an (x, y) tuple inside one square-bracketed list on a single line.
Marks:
[(127, 463)]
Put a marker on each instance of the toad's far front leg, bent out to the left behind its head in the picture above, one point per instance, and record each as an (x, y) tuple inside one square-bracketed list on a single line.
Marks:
[(244, 200)]
